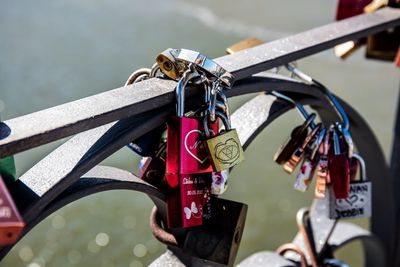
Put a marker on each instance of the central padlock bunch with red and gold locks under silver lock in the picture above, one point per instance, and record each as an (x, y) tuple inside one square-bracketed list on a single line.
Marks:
[(192, 161)]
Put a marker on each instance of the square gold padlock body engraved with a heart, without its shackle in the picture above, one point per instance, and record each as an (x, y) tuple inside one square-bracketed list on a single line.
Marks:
[(225, 150)]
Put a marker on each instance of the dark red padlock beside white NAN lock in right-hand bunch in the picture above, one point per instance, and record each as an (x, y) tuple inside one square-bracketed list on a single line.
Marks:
[(339, 170)]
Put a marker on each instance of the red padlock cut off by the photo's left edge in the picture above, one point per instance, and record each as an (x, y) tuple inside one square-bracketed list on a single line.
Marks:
[(11, 223)]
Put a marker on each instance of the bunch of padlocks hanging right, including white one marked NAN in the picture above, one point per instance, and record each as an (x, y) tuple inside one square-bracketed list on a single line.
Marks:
[(328, 152)]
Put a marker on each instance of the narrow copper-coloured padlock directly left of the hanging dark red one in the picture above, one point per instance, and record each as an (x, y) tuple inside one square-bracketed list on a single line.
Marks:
[(323, 177)]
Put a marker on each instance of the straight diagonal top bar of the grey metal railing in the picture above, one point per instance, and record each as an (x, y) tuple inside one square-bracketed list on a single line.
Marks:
[(61, 121)]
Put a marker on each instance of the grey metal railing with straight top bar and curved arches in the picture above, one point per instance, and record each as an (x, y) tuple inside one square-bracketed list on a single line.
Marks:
[(129, 112)]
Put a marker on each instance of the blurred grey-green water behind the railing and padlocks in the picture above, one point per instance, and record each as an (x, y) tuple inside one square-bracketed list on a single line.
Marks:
[(52, 52)]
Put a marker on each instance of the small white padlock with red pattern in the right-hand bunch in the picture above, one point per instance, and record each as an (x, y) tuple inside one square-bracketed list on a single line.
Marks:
[(309, 165)]
